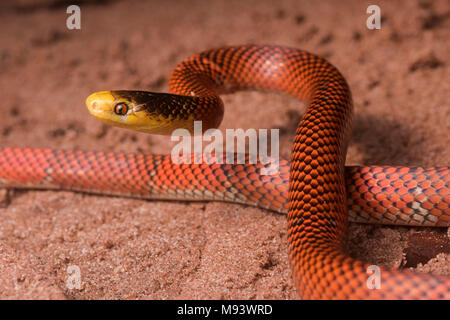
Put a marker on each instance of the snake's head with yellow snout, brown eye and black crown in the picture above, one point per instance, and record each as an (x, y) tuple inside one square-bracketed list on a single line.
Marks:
[(139, 110)]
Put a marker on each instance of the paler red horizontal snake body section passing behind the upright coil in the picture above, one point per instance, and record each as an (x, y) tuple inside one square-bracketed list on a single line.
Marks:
[(386, 195)]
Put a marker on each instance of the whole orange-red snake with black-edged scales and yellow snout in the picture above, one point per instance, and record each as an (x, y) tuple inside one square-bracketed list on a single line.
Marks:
[(314, 188)]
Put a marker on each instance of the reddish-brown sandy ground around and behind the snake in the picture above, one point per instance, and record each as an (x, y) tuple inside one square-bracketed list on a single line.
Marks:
[(132, 249)]
